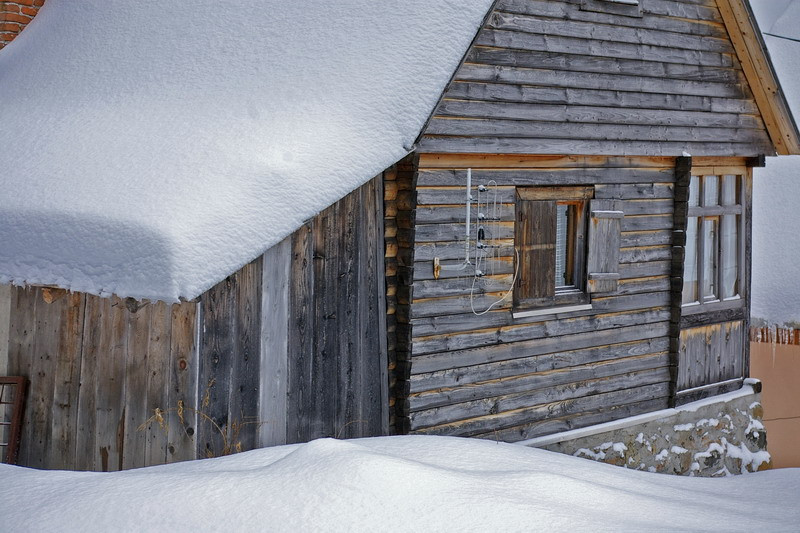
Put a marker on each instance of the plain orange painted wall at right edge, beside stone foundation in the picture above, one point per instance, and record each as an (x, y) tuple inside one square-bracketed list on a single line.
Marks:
[(778, 367)]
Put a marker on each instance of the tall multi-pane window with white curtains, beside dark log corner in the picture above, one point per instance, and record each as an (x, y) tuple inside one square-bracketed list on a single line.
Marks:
[(714, 260)]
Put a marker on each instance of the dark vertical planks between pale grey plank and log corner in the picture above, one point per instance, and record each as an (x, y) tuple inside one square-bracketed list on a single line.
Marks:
[(337, 383)]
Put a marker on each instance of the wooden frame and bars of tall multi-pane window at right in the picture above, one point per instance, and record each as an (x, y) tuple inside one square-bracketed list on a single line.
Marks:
[(704, 213)]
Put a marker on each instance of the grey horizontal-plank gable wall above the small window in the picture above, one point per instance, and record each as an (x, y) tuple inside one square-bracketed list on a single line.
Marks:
[(551, 77)]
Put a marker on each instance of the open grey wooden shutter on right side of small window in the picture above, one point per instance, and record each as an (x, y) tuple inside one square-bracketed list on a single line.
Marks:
[(605, 225)]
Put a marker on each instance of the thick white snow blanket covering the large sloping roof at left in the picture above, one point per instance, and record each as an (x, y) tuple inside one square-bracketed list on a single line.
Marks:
[(151, 148)]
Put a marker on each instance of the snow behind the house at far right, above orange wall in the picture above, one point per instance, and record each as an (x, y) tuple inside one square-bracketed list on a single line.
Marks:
[(776, 188)]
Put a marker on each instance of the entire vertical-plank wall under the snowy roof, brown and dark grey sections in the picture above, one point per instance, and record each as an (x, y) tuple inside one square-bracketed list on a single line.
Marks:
[(289, 348)]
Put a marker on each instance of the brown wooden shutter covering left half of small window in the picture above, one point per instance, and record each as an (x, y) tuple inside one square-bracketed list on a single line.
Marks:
[(536, 241)]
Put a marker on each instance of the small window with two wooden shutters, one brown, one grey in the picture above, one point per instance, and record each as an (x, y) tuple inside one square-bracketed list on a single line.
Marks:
[(567, 244)]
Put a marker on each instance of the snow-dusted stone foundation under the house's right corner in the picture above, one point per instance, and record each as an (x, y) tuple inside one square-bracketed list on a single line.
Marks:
[(718, 436)]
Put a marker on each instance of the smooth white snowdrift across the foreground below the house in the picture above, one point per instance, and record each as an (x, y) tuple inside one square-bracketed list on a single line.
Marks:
[(395, 483)]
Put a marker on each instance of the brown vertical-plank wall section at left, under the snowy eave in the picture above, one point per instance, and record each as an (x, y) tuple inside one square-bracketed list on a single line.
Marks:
[(98, 369)]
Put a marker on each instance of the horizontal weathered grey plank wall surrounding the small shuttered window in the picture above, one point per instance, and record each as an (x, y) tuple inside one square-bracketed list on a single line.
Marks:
[(497, 377)]
